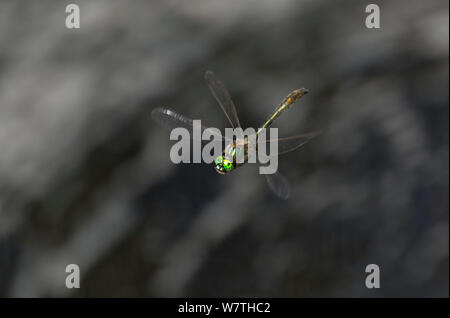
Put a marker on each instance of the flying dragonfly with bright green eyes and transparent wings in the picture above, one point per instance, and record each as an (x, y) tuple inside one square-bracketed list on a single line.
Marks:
[(226, 162)]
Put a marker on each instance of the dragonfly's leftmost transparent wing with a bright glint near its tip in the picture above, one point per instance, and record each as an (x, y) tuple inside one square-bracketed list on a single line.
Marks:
[(171, 119)]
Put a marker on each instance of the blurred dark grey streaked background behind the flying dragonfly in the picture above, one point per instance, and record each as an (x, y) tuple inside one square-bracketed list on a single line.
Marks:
[(86, 177)]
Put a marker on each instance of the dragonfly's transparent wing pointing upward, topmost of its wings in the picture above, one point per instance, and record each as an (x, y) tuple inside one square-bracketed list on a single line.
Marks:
[(222, 96)]
